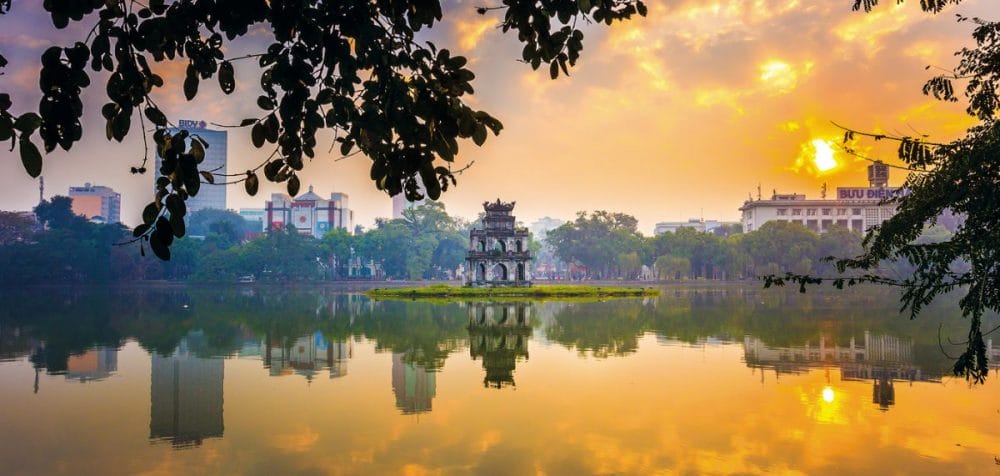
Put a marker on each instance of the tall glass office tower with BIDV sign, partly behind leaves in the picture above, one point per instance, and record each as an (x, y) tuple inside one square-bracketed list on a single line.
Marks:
[(209, 196)]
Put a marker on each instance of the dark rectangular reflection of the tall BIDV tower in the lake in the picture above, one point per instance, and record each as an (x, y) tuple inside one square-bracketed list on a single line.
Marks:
[(186, 397)]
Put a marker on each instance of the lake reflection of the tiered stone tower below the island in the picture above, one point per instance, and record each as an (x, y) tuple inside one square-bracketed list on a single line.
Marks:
[(498, 334)]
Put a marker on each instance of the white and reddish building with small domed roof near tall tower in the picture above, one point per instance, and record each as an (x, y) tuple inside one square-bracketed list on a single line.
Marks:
[(309, 213)]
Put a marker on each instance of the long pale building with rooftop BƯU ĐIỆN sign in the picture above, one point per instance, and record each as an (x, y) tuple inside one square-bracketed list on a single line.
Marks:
[(856, 208)]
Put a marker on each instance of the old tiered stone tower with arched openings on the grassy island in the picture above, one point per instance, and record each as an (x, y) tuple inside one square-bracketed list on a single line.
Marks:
[(498, 253)]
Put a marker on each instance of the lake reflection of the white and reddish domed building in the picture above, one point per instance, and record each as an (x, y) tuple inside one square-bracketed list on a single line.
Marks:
[(306, 356)]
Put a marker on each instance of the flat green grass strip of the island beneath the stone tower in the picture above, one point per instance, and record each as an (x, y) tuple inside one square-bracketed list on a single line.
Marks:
[(542, 291)]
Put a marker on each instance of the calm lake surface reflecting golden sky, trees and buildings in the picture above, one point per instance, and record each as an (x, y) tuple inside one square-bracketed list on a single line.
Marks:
[(270, 381)]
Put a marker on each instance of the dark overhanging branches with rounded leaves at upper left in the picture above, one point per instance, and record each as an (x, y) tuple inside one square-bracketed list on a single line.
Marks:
[(354, 68)]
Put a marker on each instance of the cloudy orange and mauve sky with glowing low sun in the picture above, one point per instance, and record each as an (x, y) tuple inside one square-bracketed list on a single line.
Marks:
[(678, 115)]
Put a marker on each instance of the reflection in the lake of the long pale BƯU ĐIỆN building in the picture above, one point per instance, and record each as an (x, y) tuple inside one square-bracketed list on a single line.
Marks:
[(881, 359)]
